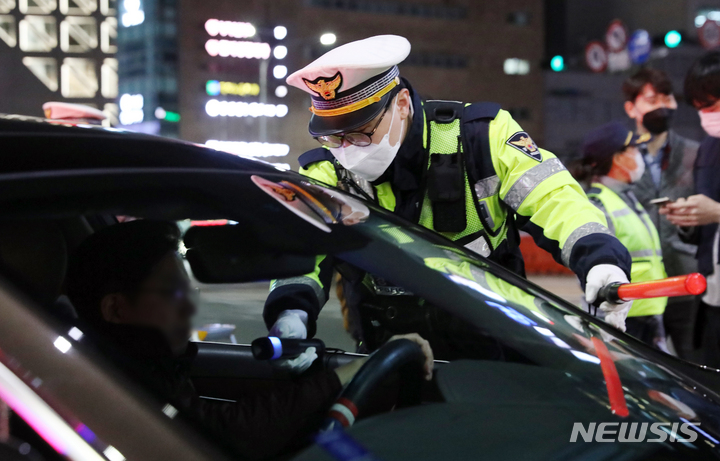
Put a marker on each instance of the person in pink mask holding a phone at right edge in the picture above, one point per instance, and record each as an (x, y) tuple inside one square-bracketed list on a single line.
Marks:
[(701, 212)]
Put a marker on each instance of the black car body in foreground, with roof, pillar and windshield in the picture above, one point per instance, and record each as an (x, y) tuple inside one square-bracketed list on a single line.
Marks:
[(560, 367)]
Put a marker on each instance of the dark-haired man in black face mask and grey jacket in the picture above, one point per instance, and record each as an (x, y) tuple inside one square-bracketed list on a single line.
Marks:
[(669, 159)]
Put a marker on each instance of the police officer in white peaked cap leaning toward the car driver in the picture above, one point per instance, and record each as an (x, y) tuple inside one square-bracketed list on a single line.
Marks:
[(467, 171)]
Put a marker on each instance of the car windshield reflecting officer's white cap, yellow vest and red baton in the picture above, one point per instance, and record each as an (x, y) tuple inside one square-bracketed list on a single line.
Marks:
[(471, 308)]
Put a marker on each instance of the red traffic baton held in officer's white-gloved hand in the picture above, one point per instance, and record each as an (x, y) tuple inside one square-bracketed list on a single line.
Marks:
[(682, 285)]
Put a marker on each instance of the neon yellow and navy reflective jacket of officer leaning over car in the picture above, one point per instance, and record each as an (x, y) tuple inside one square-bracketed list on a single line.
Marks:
[(518, 186)]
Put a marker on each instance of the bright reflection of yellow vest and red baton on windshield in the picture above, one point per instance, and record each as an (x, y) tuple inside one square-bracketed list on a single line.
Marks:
[(526, 326)]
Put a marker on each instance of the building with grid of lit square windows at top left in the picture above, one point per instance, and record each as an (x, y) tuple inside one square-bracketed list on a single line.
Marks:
[(58, 50)]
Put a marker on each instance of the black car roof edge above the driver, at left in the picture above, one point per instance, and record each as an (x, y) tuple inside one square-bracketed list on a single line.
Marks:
[(29, 144)]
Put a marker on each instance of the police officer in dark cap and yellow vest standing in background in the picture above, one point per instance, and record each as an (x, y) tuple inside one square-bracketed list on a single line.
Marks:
[(612, 160)]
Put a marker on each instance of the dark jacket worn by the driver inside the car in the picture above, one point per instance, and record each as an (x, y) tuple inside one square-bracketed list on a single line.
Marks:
[(259, 425)]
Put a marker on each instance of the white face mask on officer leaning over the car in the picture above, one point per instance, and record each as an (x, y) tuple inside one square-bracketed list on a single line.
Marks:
[(370, 162)]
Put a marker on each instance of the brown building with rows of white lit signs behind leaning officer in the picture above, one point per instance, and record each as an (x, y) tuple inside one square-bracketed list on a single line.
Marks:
[(223, 67)]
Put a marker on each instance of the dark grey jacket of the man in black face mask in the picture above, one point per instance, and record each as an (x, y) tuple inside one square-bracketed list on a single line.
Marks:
[(676, 181)]
